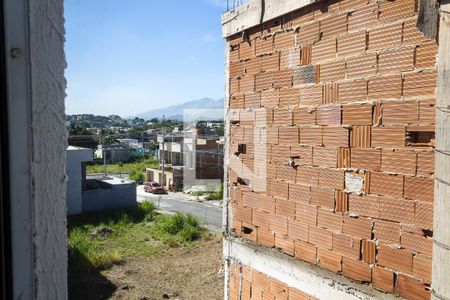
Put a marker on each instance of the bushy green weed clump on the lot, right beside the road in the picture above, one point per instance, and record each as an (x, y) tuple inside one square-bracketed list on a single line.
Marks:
[(177, 229)]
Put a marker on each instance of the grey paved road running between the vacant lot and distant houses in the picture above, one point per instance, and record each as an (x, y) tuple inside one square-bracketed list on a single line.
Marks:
[(209, 214)]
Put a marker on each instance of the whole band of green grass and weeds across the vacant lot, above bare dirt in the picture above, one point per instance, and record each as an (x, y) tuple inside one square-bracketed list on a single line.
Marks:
[(100, 240)]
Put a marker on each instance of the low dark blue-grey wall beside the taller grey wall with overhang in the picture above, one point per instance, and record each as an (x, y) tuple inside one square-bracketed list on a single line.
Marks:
[(118, 197)]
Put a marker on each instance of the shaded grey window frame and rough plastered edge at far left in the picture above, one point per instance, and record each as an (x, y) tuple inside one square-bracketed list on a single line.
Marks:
[(36, 92)]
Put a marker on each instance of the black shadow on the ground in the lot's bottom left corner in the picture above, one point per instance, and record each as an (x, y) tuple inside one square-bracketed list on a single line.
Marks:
[(87, 283)]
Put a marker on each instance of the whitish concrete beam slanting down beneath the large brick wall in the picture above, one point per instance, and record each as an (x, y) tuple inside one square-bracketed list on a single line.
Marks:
[(315, 281)]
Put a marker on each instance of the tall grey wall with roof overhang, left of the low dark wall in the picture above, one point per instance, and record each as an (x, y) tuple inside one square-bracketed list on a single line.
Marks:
[(74, 172)]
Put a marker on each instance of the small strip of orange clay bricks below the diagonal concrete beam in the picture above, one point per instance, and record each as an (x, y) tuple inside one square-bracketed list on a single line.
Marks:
[(246, 283)]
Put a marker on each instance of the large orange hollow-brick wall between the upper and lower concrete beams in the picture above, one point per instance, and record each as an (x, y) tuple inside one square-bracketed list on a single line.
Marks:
[(338, 98)]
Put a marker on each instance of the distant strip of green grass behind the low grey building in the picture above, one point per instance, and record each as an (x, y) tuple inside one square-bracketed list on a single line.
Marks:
[(136, 167)]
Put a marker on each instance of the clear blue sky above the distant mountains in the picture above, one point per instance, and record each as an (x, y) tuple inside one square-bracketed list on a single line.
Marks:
[(130, 56)]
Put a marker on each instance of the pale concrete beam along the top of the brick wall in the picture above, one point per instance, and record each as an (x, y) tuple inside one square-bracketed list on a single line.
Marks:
[(257, 12)]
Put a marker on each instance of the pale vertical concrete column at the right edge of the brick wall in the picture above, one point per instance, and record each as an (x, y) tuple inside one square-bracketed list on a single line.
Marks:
[(441, 247)]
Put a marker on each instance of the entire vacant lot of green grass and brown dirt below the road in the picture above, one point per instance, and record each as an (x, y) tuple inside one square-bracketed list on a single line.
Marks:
[(140, 254)]
